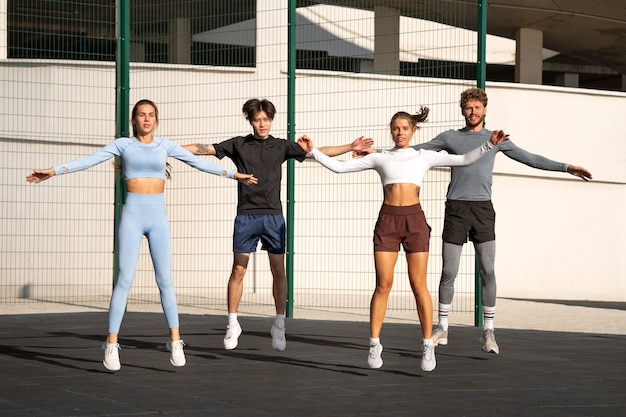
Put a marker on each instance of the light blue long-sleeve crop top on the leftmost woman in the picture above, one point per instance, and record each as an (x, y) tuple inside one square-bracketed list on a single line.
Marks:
[(143, 160)]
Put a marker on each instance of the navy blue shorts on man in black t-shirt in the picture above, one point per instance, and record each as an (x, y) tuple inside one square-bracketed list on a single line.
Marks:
[(268, 228)]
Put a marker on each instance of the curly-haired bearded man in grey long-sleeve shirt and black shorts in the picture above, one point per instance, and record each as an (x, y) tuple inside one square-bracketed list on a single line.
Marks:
[(469, 211)]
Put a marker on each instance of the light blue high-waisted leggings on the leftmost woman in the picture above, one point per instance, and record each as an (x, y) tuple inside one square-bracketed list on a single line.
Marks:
[(143, 215)]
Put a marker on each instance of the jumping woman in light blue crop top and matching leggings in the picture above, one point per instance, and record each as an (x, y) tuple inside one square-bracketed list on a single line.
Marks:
[(144, 161)]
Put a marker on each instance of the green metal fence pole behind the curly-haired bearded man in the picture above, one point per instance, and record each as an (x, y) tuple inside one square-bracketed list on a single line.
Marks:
[(481, 78)]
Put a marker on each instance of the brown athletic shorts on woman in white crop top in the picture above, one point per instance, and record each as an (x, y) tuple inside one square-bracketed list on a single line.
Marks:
[(404, 225)]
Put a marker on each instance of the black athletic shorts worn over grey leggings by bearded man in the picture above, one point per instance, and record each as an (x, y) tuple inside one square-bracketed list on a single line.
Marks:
[(473, 219)]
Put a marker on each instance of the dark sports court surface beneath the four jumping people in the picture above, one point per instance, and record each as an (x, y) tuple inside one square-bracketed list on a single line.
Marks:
[(50, 366)]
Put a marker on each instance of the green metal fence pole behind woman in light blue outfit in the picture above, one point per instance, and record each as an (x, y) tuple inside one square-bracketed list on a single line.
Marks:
[(122, 87)]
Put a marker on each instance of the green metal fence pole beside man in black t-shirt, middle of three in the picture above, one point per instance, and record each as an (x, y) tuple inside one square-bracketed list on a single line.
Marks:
[(291, 113)]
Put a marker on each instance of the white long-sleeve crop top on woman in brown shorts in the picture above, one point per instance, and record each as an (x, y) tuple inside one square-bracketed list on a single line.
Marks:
[(401, 165)]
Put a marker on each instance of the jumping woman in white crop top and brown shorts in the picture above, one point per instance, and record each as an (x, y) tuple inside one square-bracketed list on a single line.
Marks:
[(401, 220)]
